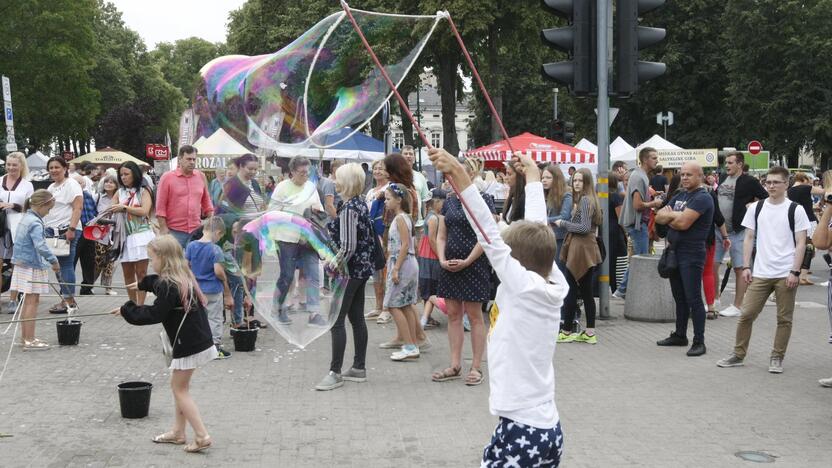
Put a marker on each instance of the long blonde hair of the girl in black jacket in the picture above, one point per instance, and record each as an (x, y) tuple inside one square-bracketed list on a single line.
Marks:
[(174, 271)]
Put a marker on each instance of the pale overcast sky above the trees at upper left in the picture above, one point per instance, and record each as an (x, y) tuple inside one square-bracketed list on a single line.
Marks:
[(168, 20)]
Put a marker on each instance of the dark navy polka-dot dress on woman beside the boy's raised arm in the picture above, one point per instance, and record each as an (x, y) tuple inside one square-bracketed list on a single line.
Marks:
[(473, 283)]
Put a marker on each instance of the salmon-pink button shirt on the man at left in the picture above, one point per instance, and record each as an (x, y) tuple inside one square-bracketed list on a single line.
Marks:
[(183, 200)]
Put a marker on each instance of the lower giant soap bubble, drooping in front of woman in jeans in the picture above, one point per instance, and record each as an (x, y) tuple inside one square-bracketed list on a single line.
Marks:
[(289, 262)]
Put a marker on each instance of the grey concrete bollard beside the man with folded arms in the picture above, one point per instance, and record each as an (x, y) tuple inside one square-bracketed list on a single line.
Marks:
[(648, 295)]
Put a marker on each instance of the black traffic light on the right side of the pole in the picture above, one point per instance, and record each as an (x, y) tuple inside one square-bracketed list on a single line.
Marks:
[(632, 38)]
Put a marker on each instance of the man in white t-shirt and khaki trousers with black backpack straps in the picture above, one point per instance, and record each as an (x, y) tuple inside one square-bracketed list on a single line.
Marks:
[(780, 244)]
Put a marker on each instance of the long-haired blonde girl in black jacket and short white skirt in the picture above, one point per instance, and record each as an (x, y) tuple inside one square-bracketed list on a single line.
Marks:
[(178, 301)]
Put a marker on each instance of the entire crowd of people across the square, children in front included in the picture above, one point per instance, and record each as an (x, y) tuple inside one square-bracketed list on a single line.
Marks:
[(420, 244)]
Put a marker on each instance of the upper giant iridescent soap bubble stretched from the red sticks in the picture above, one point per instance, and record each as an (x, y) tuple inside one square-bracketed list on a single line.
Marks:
[(322, 82)]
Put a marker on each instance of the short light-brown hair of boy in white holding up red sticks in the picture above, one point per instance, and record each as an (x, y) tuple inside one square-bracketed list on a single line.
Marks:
[(533, 245)]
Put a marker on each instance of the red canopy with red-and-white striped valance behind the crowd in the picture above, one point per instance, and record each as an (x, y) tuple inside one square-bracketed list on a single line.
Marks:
[(540, 149)]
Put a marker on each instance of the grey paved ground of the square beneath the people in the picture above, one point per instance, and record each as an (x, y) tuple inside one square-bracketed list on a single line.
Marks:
[(623, 402)]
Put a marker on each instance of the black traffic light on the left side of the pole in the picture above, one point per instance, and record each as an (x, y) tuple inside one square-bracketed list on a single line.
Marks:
[(578, 40)]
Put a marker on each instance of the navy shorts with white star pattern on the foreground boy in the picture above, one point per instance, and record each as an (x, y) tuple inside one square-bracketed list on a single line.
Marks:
[(515, 445)]
